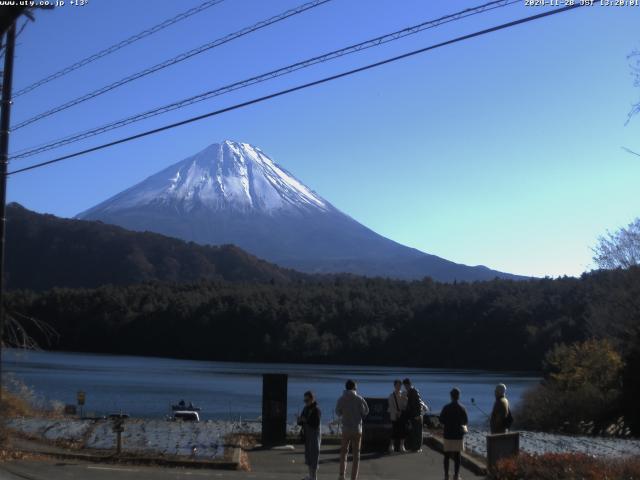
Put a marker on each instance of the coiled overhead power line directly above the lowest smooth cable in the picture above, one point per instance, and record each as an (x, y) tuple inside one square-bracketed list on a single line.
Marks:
[(263, 77)]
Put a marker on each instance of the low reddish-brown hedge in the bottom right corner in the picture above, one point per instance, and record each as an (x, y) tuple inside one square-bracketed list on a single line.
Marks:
[(562, 466)]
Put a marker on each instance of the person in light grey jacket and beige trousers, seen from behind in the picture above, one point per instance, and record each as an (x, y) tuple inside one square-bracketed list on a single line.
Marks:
[(351, 408)]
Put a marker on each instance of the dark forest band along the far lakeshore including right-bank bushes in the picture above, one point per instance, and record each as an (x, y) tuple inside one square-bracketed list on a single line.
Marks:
[(536, 325)]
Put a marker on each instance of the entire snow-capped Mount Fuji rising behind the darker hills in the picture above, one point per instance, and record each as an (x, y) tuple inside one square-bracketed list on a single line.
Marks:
[(233, 193)]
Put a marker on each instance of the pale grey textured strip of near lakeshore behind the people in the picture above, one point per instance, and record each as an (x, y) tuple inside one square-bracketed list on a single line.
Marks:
[(211, 438)]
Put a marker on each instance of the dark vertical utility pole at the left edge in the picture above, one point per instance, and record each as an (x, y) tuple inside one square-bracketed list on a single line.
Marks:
[(5, 123)]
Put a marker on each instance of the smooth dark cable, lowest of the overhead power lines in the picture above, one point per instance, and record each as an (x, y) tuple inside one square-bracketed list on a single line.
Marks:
[(300, 87)]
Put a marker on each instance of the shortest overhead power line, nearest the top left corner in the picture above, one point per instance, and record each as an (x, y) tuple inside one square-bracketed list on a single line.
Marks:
[(114, 48)]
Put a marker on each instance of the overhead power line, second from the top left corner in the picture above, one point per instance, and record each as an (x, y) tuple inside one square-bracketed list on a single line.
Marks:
[(172, 61)]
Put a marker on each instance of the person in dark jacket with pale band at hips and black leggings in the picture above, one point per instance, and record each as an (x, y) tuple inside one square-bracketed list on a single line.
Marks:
[(454, 418)]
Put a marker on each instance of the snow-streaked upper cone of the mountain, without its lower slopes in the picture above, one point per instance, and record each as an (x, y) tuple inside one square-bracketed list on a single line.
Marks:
[(223, 176)]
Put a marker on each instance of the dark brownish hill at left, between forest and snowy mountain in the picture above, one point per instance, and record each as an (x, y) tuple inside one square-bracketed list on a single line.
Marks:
[(44, 251)]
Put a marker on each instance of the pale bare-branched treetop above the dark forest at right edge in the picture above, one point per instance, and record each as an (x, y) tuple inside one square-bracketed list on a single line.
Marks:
[(620, 249)]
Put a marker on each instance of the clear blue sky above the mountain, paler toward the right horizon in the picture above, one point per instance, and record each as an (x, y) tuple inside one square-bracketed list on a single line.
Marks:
[(504, 150)]
